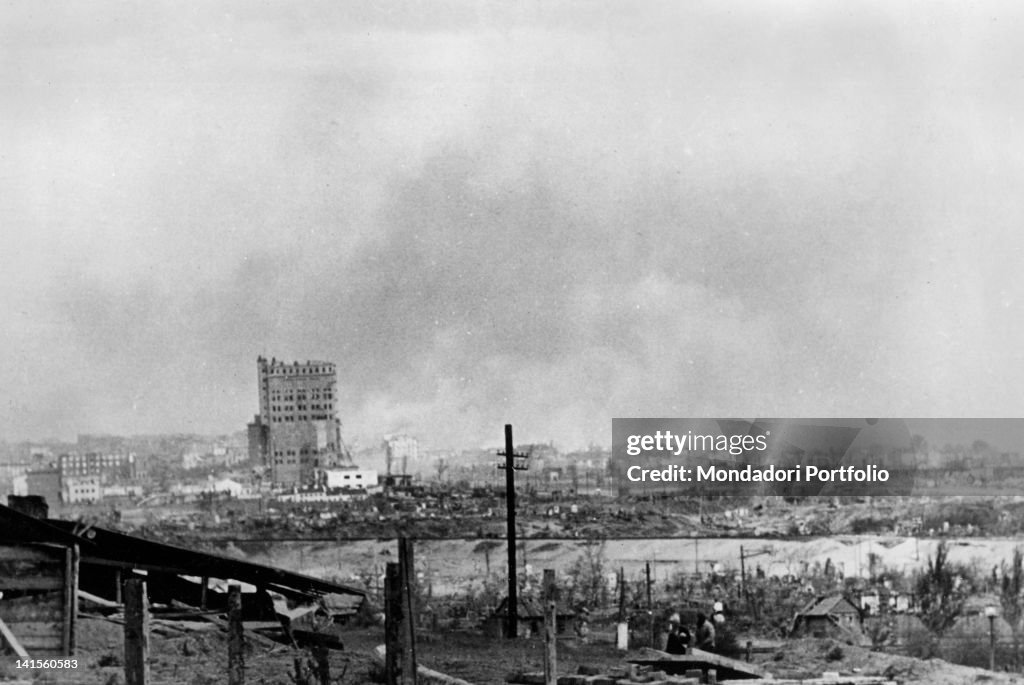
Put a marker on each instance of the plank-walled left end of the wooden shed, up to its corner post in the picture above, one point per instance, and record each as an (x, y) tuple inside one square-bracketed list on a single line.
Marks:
[(39, 586)]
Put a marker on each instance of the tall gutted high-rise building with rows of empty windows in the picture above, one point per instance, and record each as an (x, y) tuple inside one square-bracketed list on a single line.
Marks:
[(297, 431)]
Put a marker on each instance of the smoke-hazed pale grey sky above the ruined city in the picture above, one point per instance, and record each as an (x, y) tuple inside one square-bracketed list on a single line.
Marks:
[(540, 213)]
